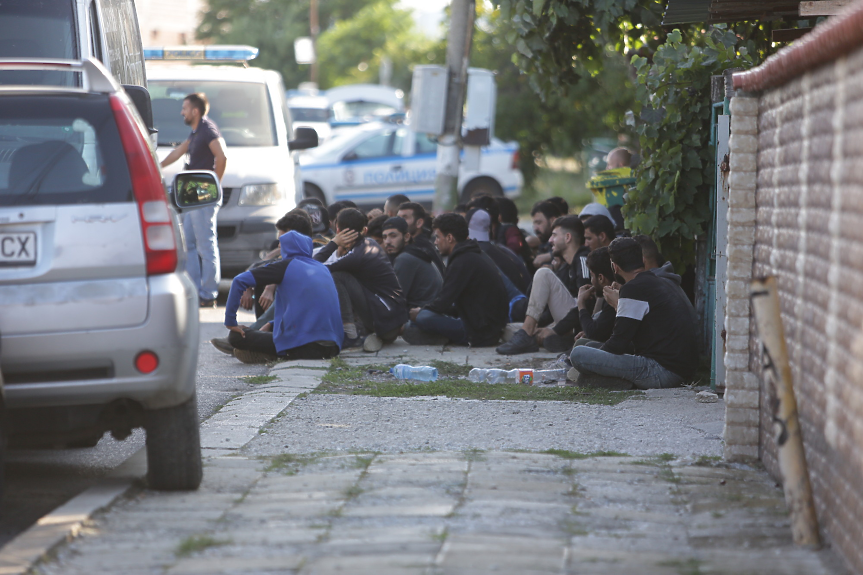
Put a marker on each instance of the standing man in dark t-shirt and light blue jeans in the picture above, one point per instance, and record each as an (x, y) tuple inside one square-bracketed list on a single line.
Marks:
[(206, 150)]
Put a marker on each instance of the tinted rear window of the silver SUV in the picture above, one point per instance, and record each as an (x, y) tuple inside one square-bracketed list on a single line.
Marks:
[(60, 150)]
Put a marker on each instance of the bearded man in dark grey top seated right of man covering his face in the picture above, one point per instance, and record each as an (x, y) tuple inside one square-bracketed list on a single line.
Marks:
[(420, 280)]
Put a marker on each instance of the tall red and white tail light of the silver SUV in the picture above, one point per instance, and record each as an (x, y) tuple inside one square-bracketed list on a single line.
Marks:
[(159, 245)]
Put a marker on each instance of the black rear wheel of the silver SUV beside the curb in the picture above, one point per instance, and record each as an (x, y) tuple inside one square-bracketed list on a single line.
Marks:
[(174, 447)]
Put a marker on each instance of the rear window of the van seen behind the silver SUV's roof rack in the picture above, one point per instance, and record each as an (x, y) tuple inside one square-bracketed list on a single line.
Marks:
[(38, 29)]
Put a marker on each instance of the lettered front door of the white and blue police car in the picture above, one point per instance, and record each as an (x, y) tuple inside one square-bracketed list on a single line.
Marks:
[(372, 170)]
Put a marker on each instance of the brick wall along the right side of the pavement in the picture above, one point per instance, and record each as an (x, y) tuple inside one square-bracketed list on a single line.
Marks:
[(808, 231)]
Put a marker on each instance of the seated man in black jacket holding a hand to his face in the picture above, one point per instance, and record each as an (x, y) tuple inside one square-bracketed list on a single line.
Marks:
[(369, 291)]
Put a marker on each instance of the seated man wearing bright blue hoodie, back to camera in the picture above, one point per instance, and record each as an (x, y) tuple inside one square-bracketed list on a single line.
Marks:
[(307, 322)]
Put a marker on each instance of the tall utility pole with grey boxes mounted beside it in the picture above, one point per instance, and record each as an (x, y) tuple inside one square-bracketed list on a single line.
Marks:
[(462, 15)]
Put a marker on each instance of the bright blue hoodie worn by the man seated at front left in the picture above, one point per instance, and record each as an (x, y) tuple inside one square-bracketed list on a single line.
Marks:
[(307, 303)]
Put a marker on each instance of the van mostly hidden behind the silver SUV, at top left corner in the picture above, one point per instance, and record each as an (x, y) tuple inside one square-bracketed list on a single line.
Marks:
[(105, 30)]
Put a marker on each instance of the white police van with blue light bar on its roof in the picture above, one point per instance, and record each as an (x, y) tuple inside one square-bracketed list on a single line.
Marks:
[(249, 107)]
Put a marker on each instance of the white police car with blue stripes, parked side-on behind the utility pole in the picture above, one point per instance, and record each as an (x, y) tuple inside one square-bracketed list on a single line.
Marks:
[(373, 161)]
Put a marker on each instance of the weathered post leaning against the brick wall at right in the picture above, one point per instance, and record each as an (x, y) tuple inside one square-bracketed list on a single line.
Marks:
[(786, 424)]
